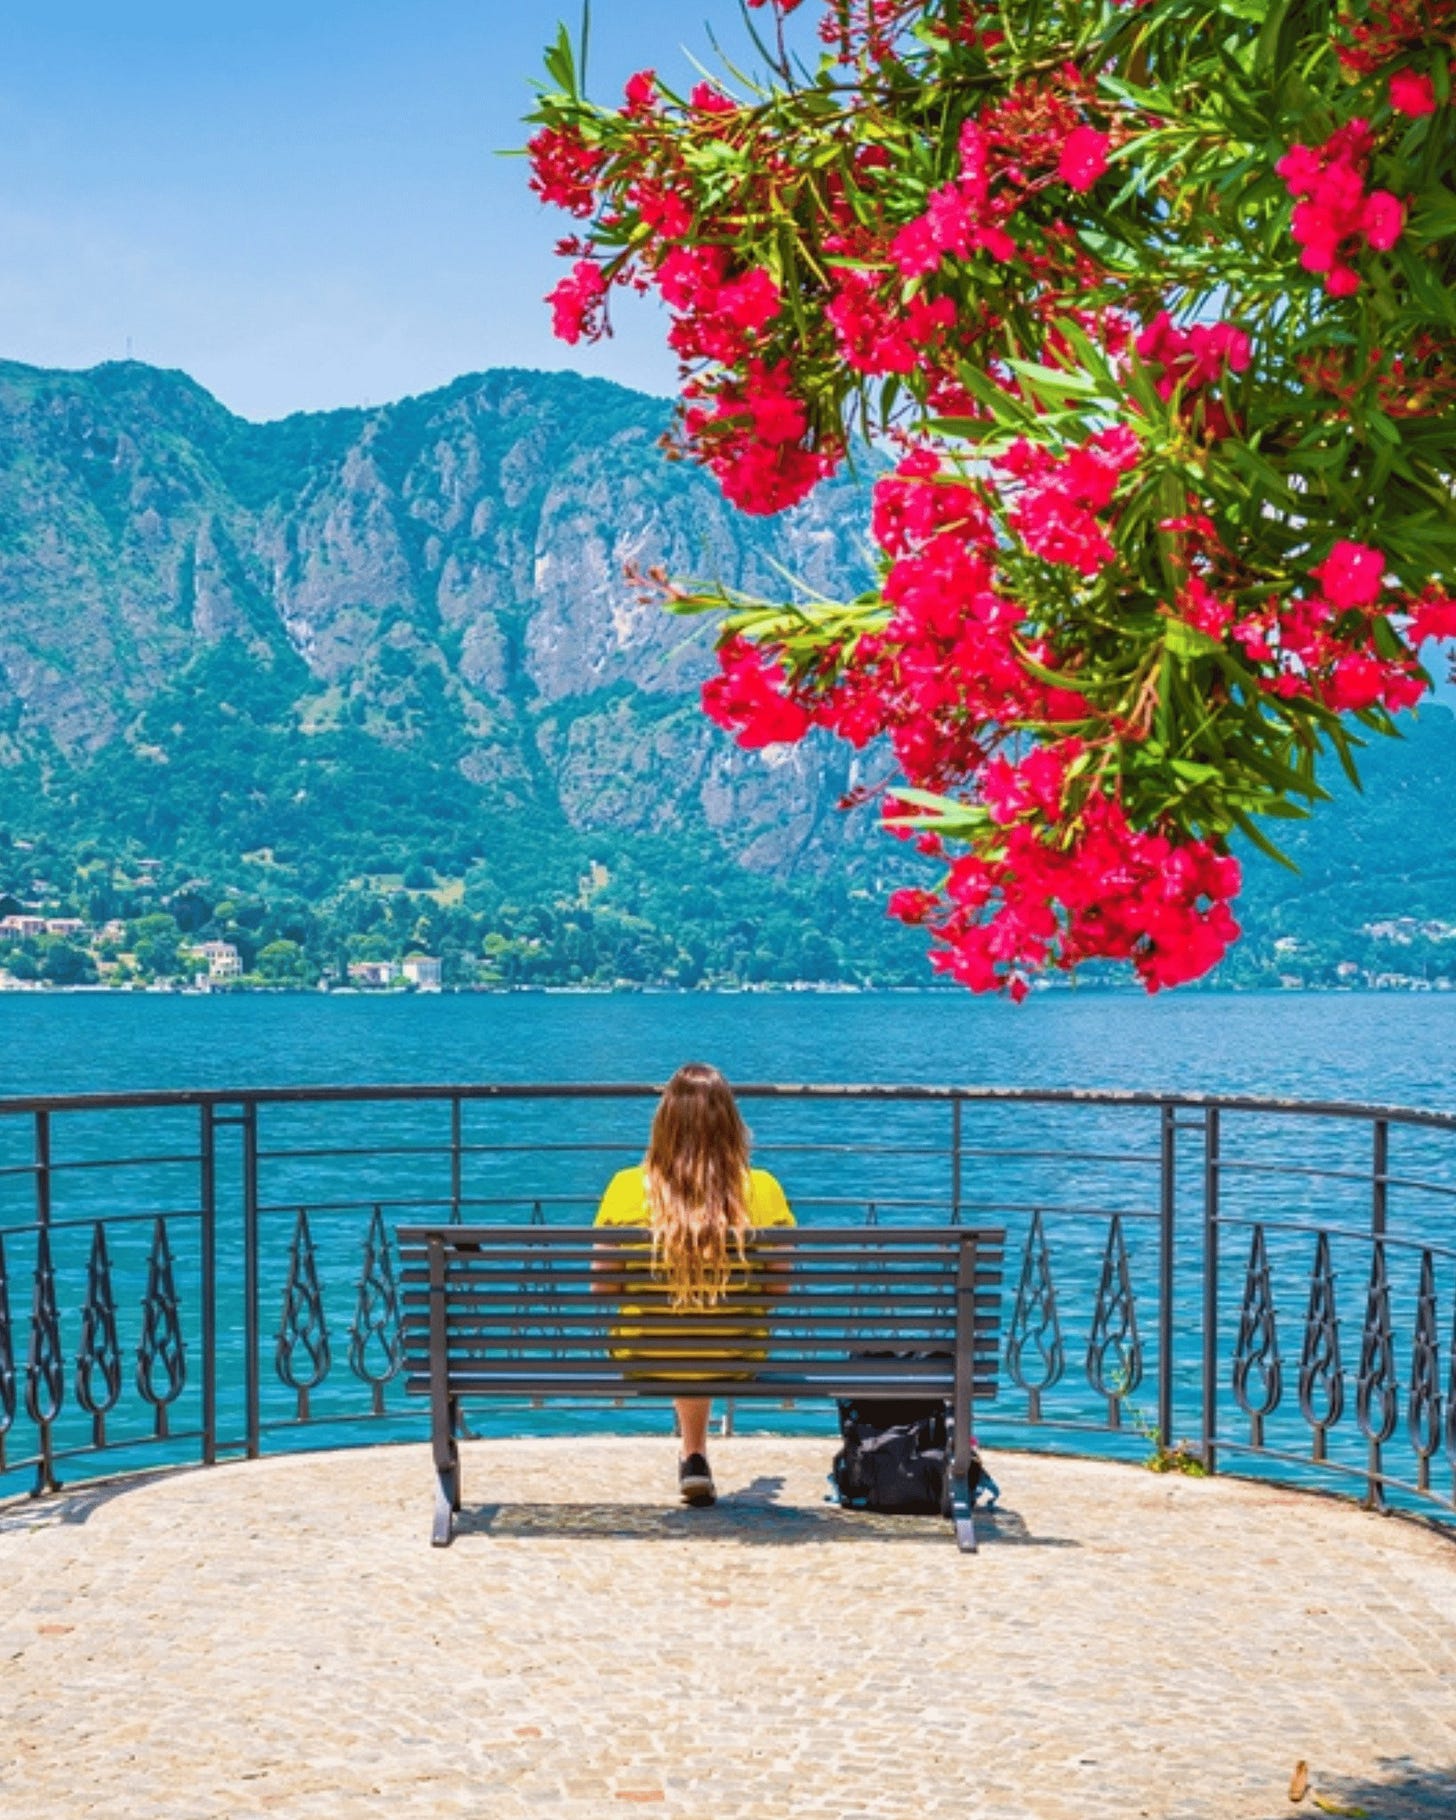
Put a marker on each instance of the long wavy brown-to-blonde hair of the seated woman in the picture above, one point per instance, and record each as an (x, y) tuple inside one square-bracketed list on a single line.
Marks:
[(698, 1188)]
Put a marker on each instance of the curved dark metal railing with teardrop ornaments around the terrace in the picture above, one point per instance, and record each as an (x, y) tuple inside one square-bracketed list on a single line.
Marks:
[(1229, 1282)]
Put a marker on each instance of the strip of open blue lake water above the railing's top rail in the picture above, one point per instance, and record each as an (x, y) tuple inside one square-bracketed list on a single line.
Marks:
[(1380, 1047)]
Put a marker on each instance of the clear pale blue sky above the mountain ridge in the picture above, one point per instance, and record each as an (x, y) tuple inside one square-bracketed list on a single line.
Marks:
[(299, 203)]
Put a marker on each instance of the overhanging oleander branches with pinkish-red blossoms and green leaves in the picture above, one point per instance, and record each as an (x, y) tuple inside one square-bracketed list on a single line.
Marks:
[(1155, 523)]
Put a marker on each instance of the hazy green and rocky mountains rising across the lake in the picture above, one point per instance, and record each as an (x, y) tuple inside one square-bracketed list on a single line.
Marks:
[(383, 678)]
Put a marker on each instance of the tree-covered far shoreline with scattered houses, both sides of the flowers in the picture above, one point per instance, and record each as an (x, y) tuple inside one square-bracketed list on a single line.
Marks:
[(83, 918)]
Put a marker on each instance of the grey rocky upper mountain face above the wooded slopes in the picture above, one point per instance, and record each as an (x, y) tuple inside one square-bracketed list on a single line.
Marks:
[(449, 578)]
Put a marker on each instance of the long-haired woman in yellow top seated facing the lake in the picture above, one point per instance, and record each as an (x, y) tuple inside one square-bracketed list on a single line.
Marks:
[(700, 1197)]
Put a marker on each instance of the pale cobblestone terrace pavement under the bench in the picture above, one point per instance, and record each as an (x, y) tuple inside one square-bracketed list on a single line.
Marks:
[(281, 1639)]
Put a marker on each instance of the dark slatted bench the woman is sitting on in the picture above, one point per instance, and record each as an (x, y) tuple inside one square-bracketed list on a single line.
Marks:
[(827, 1311)]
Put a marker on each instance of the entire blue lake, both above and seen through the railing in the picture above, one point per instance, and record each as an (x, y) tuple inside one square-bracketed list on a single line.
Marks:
[(1073, 1169)]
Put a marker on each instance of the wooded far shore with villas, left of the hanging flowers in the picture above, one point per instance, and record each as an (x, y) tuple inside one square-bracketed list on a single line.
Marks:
[(147, 925)]
